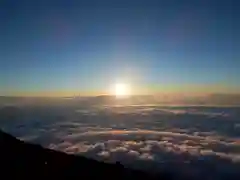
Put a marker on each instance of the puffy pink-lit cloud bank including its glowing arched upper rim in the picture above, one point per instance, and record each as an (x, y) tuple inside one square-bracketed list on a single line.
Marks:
[(166, 142)]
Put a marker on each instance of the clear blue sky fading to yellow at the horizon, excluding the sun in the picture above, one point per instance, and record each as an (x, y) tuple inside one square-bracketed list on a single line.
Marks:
[(69, 47)]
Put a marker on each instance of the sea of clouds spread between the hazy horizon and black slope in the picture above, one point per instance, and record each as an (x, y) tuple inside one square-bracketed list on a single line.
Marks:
[(200, 142)]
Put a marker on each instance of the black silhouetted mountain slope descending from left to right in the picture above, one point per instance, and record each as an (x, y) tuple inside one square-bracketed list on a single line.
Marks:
[(23, 160)]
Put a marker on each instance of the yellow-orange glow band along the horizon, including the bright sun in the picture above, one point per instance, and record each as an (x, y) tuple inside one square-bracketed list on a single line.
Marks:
[(124, 89)]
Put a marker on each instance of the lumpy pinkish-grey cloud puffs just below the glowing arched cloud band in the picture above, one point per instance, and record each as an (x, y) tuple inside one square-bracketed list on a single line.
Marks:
[(145, 149)]
